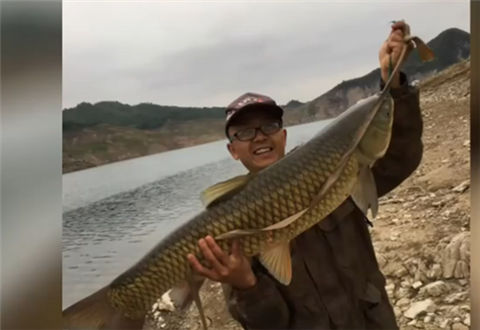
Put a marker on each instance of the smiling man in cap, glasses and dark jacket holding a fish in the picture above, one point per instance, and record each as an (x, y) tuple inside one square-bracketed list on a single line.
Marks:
[(336, 281)]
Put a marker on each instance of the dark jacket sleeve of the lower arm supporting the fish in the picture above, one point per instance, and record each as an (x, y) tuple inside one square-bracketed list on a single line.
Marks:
[(259, 307)]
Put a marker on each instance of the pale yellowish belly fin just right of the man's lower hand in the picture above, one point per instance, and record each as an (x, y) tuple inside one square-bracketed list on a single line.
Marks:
[(277, 260)]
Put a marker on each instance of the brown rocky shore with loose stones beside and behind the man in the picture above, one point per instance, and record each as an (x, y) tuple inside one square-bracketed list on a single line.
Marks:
[(422, 232)]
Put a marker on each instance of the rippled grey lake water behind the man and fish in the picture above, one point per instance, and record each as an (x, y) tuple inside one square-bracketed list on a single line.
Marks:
[(114, 214)]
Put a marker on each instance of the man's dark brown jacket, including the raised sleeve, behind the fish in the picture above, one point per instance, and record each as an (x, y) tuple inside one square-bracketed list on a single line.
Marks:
[(336, 282)]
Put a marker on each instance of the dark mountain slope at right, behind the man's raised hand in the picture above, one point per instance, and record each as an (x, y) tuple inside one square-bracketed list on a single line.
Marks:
[(450, 47)]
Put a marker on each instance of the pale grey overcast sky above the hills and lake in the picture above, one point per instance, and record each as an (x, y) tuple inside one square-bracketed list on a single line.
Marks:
[(207, 53)]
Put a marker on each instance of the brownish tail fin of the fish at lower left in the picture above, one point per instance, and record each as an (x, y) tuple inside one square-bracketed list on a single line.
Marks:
[(92, 312)]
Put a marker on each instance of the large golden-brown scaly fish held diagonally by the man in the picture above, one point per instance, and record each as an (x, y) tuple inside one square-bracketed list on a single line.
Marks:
[(264, 212)]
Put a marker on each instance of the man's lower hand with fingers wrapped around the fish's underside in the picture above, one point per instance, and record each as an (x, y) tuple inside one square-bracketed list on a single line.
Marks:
[(233, 269)]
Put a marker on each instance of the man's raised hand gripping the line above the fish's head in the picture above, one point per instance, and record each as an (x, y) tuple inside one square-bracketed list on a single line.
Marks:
[(391, 49)]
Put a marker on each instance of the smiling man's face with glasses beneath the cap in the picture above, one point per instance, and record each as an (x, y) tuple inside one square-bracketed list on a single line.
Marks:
[(263, 150)]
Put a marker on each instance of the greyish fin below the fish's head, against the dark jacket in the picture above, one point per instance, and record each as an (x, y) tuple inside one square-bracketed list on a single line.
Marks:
[(364, 193)]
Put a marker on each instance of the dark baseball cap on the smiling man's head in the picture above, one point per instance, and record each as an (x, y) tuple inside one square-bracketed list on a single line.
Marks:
[(248, 101)]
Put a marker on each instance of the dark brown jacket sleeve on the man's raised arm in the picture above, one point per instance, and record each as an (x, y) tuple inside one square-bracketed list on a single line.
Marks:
[(405, 150)]
